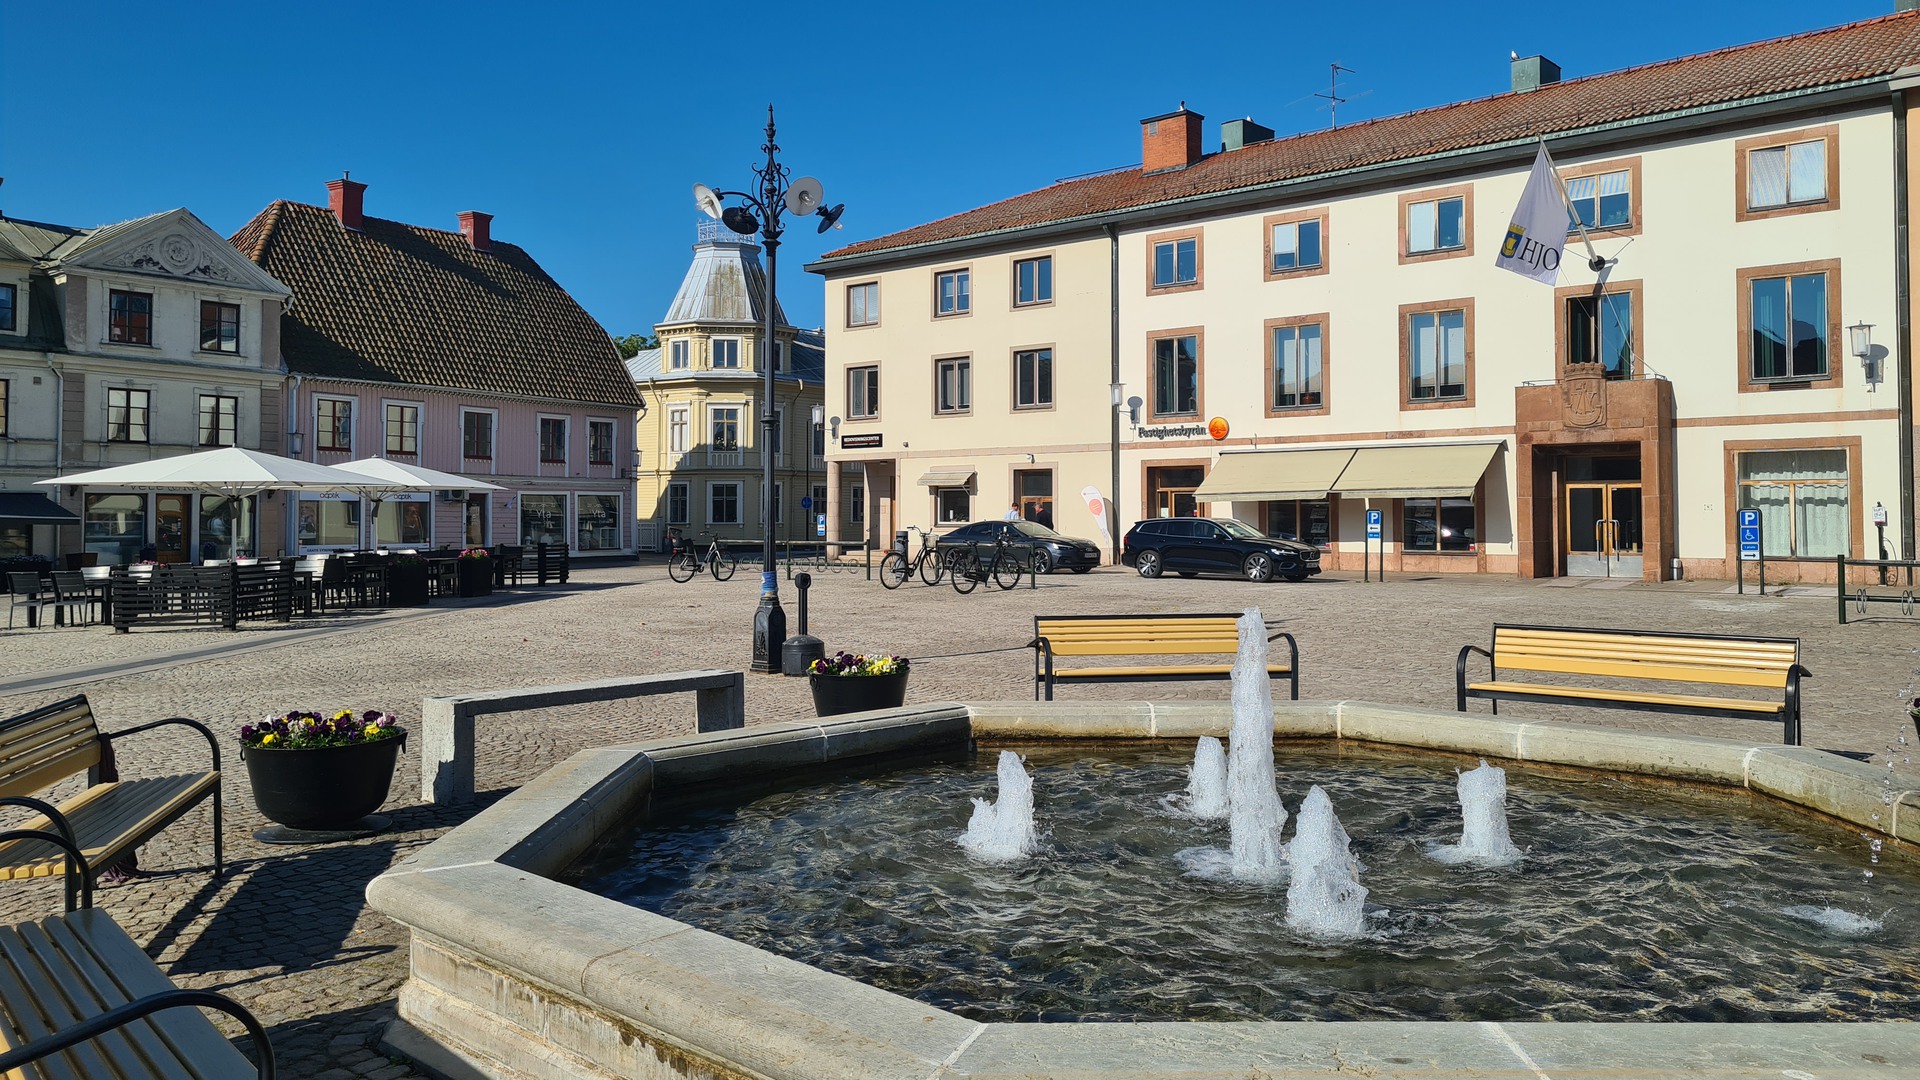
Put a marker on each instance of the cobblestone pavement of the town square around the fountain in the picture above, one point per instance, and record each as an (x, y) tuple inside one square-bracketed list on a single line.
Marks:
[(289, 933)]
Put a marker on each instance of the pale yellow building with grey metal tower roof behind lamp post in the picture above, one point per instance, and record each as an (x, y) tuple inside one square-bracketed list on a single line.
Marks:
[(702, 435)]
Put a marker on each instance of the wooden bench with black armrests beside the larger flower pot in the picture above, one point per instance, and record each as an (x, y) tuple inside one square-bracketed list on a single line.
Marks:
[(110, 818)]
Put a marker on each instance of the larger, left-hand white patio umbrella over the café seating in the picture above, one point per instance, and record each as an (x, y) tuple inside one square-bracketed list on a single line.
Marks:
[(229, 472)]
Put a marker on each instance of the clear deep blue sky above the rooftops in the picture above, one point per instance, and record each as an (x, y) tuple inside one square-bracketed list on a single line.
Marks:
[(585, 126)]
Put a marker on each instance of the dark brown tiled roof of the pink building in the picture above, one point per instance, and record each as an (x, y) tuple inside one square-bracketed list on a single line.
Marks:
[(406, 305)]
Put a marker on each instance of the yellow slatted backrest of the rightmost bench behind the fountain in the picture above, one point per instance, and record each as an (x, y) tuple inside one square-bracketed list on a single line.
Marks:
[(1627, 654)]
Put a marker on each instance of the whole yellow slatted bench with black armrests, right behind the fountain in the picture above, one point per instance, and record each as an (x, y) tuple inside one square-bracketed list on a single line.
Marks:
[(1625, 660)]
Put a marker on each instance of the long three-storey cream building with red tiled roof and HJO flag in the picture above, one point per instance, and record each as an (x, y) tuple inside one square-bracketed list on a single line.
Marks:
[(1314, 330)]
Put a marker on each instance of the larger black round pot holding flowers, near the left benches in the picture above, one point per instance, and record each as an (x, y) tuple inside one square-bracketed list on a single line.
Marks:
[(329, 789)]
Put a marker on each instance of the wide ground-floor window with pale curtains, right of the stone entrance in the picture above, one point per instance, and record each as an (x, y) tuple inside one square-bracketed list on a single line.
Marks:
[(1802, 497)]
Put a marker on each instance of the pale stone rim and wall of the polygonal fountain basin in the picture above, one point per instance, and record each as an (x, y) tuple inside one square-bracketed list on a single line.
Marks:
[(516, 975)]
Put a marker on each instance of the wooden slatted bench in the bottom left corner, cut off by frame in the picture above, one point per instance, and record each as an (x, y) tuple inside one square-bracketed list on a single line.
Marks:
[(80, 1000)]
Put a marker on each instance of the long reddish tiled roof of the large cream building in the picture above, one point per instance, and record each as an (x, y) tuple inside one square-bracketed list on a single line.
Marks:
[(1812, 61)]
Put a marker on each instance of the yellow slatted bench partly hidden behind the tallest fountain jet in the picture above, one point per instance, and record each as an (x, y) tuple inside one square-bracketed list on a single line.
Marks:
[(1140, 637)]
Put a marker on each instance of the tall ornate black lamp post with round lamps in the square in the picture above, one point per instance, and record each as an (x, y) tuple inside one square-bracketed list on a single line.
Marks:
[(775, 197)]
